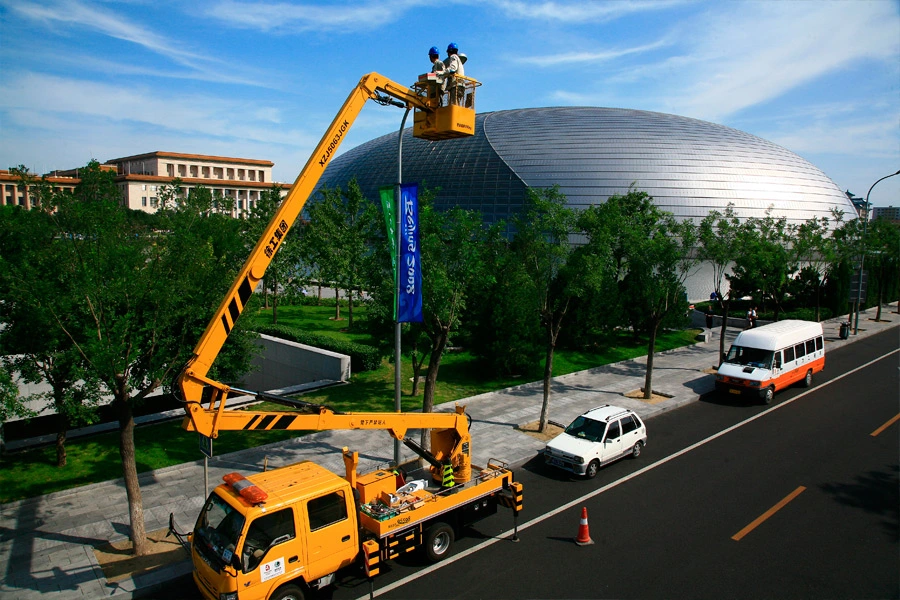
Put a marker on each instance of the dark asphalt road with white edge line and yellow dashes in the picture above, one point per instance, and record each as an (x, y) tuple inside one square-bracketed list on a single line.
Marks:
[(793, 500)]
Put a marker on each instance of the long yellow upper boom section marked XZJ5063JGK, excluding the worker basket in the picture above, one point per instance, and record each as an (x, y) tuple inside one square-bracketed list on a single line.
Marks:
[(372, 86)]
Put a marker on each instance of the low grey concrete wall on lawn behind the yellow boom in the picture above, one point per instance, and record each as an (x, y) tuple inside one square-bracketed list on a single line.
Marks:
[(281, 364)]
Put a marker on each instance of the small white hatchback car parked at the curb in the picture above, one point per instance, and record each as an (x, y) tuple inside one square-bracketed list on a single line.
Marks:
[(596, 438)]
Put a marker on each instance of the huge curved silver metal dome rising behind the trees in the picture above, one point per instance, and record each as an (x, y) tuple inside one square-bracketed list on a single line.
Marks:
[(689, 167)]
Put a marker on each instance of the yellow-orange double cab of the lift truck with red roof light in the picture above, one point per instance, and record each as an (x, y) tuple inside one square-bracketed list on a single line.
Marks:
[(289, 524)]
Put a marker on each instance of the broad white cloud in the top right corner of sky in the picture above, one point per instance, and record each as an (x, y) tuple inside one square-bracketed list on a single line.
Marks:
[(754, 52)]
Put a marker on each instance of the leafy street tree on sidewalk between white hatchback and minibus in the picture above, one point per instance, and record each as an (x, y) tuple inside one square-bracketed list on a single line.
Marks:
[(657, 259)]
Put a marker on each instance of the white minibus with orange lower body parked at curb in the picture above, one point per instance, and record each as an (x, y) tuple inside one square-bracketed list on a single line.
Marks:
[(763, 360)]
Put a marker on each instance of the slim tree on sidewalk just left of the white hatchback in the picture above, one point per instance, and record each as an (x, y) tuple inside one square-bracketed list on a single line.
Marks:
[(542, 244)]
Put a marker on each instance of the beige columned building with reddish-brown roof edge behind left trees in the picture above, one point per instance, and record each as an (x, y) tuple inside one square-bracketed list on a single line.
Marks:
[(141, 176)]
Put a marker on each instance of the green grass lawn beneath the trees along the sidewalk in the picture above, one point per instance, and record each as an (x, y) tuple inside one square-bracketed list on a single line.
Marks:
[(90, 460)]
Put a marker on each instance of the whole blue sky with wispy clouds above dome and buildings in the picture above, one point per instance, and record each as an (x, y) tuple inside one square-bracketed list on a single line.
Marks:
[(82, 80)]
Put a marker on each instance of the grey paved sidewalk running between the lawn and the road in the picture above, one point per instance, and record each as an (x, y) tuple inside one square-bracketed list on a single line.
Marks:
[(46, 543)]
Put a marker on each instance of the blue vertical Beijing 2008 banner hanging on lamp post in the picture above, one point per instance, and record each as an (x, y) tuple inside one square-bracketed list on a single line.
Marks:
[(410, 271)]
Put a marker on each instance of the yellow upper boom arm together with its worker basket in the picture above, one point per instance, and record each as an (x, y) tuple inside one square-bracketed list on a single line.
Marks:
[(458, 121)]
